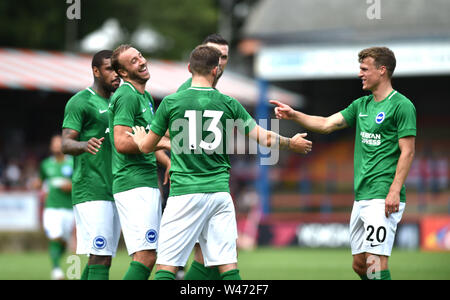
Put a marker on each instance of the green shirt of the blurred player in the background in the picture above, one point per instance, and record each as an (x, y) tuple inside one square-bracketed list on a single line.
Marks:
[(54, 174)]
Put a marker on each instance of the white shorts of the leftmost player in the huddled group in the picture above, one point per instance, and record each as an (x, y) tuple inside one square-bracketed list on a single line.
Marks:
[(98, 228)]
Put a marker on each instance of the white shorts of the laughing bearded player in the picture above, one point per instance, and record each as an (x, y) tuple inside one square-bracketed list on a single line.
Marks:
[(140, 215)]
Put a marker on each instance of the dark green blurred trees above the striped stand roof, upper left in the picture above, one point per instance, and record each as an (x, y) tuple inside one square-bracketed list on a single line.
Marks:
[(42, 24)]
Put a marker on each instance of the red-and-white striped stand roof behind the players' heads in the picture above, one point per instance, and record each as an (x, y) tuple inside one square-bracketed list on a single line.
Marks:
[(69, 73)]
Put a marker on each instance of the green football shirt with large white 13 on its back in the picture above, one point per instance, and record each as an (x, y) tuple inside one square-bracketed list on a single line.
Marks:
[(198, 119)]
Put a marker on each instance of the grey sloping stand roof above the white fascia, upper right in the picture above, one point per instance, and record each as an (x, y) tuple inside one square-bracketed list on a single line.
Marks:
[(347, 21)]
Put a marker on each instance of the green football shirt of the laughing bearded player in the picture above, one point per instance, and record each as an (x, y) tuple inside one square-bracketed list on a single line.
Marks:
[(131, 108)]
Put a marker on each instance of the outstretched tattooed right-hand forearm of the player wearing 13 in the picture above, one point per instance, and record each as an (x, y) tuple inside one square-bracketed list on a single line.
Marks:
[(270, 139)]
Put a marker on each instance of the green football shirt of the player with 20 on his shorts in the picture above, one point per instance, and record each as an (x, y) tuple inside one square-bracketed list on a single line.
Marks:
[(379, 126)]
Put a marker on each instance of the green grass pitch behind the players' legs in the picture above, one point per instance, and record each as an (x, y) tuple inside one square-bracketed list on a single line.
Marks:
[(262, 263)]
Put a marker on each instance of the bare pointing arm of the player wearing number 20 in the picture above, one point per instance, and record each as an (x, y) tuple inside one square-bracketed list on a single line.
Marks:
[(317, 124)]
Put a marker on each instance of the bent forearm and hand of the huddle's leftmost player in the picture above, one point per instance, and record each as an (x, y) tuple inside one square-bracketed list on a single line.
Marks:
[(71, 145)]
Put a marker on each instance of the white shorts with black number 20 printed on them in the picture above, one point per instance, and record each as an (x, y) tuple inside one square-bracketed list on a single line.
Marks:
[(370, 230)]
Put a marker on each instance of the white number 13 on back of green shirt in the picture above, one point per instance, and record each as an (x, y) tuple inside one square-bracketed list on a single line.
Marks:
[(192, 118)]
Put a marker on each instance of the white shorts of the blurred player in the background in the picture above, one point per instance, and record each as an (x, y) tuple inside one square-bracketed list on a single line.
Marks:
[(58, 223)]
